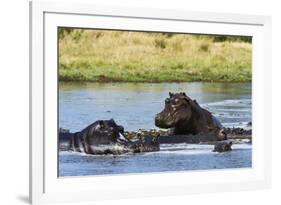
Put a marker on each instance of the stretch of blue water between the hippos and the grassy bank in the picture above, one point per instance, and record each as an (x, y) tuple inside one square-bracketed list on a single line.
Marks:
[(134, 105)]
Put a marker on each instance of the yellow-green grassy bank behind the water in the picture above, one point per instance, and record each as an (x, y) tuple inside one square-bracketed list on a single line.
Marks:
[(89, 55)]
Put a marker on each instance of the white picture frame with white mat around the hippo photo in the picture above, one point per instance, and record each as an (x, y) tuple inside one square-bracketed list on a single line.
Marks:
[(46, 187)]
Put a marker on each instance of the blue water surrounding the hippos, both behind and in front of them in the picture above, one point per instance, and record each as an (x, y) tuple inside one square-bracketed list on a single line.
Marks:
[(134, 105)]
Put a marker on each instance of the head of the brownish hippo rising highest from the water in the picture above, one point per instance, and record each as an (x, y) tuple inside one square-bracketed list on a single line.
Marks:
[(178, 108)]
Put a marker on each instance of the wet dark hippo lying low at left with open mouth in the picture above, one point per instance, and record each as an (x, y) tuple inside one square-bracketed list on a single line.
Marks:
[(104, 137)]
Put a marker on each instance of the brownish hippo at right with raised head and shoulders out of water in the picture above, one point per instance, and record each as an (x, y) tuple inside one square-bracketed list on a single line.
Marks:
[(183, 115)]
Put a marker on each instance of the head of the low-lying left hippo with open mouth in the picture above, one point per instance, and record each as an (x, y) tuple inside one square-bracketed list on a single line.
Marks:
[(107, 131)]
